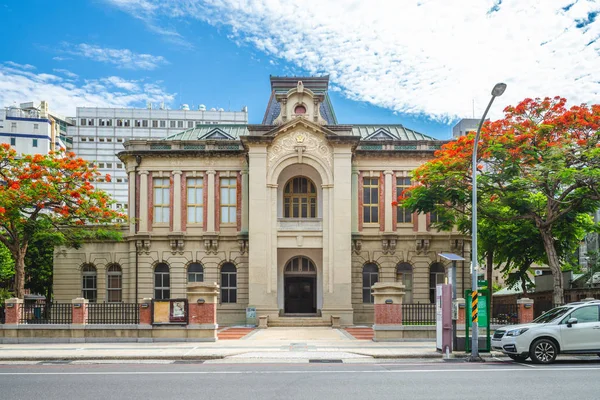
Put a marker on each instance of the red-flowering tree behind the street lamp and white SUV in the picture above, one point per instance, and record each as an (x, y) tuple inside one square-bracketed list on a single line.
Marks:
[(540, 163)]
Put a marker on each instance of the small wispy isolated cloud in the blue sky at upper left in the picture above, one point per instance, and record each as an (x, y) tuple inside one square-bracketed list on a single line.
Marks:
[(122, 58)]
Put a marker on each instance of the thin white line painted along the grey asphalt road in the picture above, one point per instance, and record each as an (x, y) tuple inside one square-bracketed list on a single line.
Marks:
[(407, 371)]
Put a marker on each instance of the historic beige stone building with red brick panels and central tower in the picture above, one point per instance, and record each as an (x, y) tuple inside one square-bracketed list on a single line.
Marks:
[(293, 216)]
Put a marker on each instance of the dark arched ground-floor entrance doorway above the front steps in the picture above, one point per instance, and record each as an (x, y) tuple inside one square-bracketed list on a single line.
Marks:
[(300, 286)]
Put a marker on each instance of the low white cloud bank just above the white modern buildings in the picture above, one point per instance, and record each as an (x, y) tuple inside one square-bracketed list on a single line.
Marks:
[(20, 85)]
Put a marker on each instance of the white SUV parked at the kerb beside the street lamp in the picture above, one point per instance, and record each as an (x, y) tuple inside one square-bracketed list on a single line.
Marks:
[(570, 329)]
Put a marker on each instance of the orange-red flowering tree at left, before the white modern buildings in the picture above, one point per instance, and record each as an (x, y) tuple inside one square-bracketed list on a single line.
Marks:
[(55, 189)]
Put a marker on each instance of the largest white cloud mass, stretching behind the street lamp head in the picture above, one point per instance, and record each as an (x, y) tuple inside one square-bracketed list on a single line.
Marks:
[(431, 58)]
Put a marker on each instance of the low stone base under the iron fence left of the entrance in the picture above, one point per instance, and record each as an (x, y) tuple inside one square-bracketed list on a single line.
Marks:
[(106, 333)]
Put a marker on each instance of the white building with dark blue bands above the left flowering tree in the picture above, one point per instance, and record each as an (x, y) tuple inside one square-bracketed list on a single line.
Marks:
[(30, 128)]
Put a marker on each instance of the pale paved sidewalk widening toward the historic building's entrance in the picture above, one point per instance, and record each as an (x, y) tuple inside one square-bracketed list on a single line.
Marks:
[(273, 344)]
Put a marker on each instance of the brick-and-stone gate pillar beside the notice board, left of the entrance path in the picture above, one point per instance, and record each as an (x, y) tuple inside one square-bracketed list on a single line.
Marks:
[(202, 311)]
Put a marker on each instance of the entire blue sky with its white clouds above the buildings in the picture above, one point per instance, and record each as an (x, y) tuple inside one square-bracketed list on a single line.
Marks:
[(420, 63)]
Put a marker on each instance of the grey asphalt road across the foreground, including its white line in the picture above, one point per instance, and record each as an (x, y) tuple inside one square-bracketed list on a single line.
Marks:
[(391, 380)]
